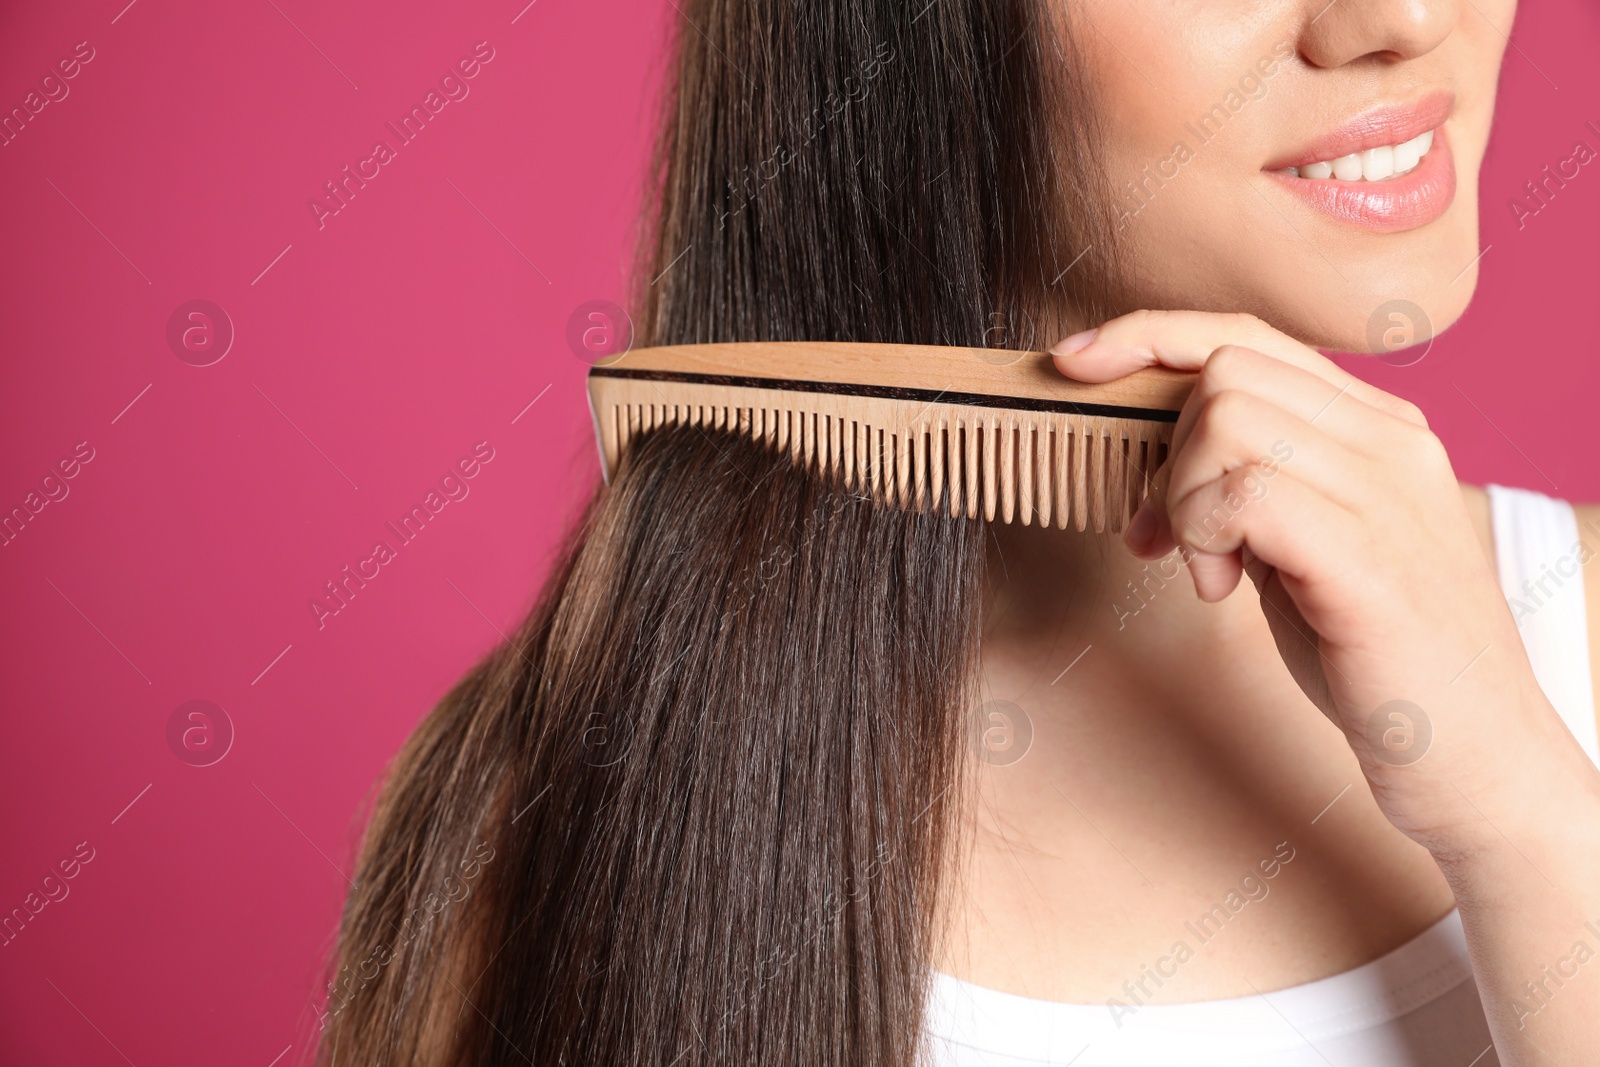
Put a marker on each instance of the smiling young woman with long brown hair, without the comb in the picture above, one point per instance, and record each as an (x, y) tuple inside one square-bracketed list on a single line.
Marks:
[(777, 775)]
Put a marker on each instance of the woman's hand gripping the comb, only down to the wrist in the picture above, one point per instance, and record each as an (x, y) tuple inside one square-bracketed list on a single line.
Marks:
[(1343, 508)]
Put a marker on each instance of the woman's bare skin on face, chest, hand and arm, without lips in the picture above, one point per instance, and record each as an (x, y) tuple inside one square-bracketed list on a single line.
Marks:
[(1190, 729)]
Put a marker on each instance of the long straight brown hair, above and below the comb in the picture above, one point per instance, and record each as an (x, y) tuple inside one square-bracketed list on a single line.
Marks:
[(700, 807)]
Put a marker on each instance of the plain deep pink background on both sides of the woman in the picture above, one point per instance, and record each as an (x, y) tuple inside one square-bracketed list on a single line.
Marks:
[(370, 356)]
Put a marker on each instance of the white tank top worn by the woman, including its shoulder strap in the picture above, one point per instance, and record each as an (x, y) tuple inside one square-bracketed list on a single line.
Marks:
[(1415, 1007)]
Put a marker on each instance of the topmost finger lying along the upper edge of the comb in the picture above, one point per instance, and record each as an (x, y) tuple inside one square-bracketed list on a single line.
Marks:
[(1186, 340)]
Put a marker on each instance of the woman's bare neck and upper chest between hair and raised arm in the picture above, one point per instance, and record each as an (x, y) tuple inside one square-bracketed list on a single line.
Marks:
[(1153, 749)]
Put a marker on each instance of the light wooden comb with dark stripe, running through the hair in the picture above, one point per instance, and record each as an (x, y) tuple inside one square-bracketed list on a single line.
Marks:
[(1001, 431)]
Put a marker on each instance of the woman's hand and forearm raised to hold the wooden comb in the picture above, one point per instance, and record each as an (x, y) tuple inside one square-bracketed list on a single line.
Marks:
[(1343, 510)]
